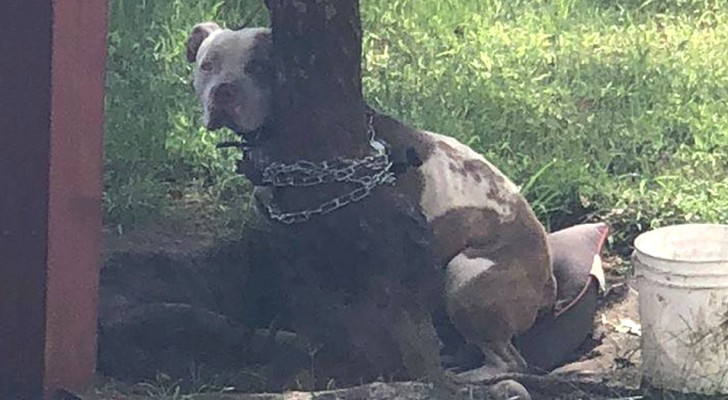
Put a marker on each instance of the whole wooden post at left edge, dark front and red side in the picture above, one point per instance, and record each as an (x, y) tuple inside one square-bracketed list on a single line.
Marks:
[(52, 63)]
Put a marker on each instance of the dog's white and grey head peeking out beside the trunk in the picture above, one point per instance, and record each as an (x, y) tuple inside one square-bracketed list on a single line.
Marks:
[(233, 75)]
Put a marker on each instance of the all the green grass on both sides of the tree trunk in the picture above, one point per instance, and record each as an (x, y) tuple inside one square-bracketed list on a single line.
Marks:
[(606, 108)]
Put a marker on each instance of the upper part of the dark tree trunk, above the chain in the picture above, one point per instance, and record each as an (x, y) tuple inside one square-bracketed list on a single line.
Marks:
[(318, 110)]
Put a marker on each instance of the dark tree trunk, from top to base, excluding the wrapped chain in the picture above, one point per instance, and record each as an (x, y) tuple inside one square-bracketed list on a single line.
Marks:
[(358, 280)]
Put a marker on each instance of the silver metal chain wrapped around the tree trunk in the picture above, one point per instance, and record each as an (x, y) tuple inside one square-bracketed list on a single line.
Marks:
[(305, 173)]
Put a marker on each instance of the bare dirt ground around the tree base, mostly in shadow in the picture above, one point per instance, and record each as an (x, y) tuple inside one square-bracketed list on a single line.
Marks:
[(184, 308)]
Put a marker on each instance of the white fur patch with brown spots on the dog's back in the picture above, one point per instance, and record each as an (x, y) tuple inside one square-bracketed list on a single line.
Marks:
[(445, 189)]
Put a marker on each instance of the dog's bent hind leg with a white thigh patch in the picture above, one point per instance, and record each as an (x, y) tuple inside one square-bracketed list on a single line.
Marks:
[(490, 298)]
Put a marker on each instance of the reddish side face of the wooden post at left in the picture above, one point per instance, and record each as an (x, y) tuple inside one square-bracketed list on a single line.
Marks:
[(74, 213)]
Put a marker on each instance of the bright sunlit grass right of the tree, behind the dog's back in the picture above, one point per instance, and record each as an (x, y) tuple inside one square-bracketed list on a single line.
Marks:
[(590, 105)]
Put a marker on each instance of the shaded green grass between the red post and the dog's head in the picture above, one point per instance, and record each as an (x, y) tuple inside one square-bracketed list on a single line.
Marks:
[(156, 149)]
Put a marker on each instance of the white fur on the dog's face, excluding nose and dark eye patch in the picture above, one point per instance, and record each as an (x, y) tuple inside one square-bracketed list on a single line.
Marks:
[(229, 52)]
